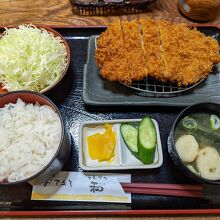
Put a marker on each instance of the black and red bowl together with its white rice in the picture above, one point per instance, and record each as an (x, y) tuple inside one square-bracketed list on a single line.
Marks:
[(34, 143)]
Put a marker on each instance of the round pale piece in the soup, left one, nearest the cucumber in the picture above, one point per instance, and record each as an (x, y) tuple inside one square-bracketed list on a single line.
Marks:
[(187, 148)]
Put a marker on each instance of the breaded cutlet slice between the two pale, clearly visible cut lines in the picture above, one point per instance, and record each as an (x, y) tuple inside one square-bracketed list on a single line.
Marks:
[(152, 48)]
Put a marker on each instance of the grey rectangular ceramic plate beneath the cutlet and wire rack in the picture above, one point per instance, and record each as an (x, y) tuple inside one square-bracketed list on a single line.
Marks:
[(99, 92)]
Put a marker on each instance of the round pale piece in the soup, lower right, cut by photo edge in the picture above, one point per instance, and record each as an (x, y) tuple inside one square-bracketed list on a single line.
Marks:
[(208, 163)]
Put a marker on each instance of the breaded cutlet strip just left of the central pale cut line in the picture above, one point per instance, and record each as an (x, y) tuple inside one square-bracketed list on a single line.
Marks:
[(134, 51)]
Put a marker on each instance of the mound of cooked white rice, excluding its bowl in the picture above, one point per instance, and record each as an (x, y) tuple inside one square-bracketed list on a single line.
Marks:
[(29, 137)]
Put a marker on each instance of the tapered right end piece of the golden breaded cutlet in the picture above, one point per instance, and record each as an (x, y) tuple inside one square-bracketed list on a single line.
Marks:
[(198, 55)]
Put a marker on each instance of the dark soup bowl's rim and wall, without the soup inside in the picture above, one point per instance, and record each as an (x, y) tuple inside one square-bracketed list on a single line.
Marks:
[(212, 108)]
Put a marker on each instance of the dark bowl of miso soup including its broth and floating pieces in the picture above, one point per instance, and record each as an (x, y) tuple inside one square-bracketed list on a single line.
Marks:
[(194, 142)]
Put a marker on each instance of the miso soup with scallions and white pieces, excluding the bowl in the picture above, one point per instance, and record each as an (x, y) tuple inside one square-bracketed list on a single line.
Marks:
[(197, 141)]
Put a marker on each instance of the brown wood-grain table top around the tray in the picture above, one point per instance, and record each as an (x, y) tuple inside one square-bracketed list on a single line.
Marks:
[(60, 13)]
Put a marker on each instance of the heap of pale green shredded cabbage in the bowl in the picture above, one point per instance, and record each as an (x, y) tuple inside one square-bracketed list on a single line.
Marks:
[(30, 58)]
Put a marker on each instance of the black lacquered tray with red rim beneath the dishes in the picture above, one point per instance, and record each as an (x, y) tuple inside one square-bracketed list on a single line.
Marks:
[(68, 97)]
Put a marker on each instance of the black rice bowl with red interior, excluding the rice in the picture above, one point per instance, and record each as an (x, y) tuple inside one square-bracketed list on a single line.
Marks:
[(63, 147)]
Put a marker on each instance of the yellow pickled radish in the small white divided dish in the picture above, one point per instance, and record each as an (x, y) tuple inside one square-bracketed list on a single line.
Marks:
[(102, 146)]
